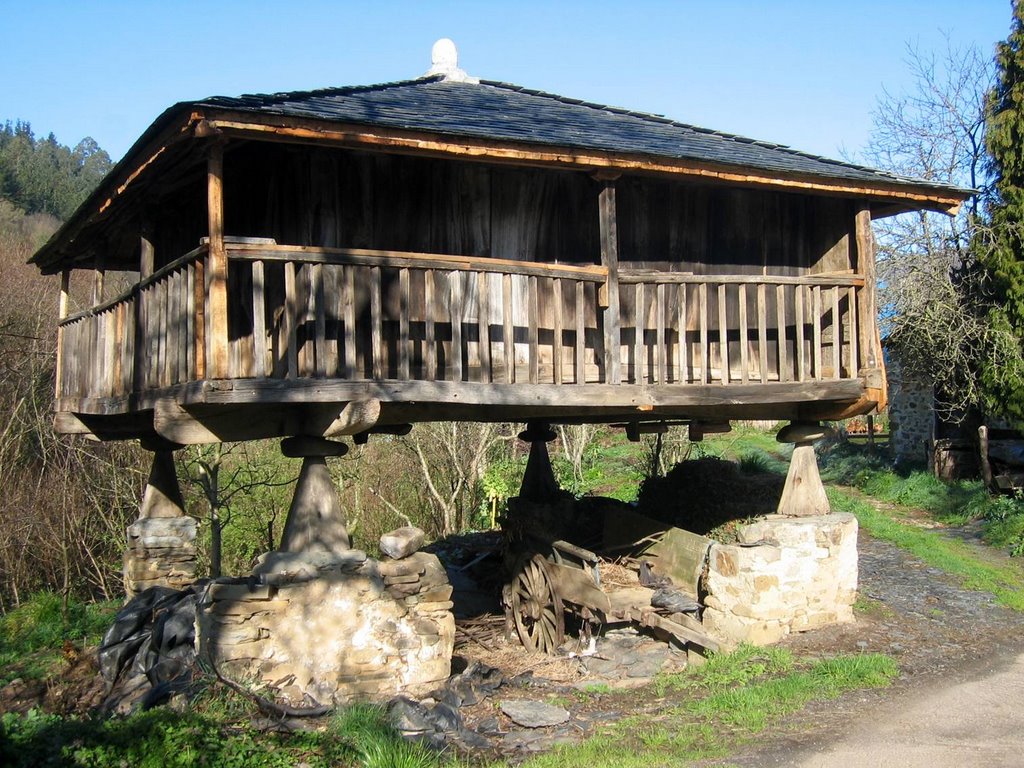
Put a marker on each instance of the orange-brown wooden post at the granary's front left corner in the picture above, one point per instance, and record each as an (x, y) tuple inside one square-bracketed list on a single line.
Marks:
[(218, 265)]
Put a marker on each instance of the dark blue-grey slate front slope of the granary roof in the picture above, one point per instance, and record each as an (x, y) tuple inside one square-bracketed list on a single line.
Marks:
[(497, 111)]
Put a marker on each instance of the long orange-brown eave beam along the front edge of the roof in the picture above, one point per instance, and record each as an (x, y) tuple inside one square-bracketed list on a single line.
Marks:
[(273, 127)]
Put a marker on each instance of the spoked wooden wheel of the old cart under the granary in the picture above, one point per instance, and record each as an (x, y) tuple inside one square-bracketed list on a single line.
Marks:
[(536, 607)]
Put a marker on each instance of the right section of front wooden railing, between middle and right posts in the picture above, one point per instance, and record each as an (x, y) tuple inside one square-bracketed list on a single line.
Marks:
[(682, 328)]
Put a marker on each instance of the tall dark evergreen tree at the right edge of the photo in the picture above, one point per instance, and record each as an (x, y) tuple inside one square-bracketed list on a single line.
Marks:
[(1000, 245)]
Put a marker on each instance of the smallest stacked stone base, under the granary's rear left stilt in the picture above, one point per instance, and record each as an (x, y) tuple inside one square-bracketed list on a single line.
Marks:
[(161, 553)]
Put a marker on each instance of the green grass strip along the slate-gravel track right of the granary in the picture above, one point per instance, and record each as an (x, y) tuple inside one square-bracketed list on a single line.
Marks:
[(1004, 581)]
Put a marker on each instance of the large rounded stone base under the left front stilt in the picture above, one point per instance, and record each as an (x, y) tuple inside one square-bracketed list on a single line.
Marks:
[(333, 631)]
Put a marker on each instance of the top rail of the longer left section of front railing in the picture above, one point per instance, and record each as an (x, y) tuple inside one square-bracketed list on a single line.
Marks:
[(407, 260)]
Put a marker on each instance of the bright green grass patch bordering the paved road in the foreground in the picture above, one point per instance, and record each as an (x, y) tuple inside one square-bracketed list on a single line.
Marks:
[(723, 703)]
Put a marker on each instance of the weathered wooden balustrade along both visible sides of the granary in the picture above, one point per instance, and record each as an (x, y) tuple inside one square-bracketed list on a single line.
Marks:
[(360, 315)]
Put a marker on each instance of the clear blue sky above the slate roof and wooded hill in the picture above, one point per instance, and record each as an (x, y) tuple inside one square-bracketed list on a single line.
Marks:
[(801, 73)]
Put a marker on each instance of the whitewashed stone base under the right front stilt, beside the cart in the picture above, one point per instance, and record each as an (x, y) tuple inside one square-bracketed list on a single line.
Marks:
[(786, 575)]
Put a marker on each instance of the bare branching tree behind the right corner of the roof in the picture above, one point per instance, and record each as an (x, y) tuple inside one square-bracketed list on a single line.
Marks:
[(931, 292)]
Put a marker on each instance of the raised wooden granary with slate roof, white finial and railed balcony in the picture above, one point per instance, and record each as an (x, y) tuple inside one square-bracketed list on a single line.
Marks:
[(350, 262)]
